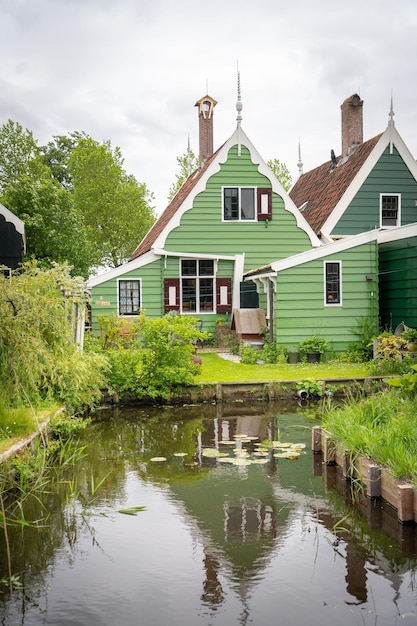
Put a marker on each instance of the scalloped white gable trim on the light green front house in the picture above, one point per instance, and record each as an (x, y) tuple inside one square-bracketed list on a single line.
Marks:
[(239, 138)]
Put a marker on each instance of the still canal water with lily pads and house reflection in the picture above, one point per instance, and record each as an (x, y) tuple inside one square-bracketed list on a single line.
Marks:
[(200, 516)]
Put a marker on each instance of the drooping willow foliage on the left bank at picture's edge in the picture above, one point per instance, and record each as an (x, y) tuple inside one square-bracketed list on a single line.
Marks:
[(39, 358)]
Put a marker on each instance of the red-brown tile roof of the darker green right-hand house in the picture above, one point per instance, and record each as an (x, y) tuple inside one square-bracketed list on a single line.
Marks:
[(323, 187)]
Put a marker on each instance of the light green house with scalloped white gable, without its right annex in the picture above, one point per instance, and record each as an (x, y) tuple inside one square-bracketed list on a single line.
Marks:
[(229, 217)]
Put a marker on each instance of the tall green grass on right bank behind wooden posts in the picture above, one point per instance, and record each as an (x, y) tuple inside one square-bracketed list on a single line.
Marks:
[(383, 427)]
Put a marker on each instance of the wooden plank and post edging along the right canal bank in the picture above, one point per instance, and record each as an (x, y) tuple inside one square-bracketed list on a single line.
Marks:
[(377, 480)]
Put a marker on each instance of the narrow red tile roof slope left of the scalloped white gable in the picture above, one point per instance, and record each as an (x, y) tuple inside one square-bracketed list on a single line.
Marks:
[(164, 219)]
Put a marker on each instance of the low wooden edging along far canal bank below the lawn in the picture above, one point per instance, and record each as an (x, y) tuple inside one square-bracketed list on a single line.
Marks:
[(265, 390)]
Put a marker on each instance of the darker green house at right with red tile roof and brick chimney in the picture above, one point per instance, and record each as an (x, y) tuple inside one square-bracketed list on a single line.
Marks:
[(371, 186)]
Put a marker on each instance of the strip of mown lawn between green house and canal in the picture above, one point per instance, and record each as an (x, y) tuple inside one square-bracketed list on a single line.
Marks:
[(214, 369)]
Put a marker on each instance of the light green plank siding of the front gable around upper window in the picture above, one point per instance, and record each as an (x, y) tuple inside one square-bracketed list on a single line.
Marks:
[(203, 231)]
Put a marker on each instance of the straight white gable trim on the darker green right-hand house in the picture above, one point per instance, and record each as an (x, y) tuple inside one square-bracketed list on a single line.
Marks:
[(389, 137)]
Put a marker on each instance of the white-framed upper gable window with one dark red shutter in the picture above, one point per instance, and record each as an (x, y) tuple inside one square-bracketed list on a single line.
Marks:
[(245, 204)]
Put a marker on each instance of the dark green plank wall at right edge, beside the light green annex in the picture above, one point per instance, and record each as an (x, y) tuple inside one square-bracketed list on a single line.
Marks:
[(398, 284)]
